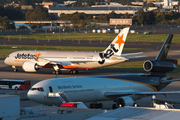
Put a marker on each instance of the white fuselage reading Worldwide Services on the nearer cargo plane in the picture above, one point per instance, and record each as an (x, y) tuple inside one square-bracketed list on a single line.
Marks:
[(84, 89)]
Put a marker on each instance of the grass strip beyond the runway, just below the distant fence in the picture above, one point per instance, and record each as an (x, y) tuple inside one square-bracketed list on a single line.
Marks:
[(95, 36)]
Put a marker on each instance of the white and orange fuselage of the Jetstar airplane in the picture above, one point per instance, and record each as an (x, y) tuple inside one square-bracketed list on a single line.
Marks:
[(81, 60)]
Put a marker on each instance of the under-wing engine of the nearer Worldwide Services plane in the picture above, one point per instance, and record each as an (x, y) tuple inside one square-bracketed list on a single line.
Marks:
[(124, 101)]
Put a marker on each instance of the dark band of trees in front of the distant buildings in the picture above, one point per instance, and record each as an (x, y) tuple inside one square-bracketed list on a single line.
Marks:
[(81, 19)]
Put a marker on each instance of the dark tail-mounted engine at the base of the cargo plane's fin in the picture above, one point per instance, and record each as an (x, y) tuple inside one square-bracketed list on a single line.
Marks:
[(158, 66)]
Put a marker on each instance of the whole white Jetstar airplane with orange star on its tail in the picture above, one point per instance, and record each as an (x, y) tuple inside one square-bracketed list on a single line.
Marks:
[(31, 61)]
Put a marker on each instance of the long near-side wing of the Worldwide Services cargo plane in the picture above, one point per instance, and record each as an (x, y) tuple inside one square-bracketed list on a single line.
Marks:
[(115, 94)]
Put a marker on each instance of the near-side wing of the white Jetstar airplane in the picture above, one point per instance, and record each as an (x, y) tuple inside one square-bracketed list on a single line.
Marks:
[(43, 61)]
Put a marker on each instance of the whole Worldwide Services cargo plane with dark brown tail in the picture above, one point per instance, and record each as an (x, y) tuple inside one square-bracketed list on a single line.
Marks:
[(125, 89)]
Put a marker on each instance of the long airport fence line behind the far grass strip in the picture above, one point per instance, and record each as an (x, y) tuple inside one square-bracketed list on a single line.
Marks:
[(97, 29)]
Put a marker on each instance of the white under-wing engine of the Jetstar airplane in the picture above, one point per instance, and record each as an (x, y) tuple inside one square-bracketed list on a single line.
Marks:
[(30, 66)]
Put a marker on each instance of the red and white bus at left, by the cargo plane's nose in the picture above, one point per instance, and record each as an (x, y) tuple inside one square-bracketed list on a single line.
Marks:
[(14, 84)]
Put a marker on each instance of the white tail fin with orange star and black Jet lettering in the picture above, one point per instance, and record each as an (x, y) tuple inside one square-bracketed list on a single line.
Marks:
[(116, 46)]
